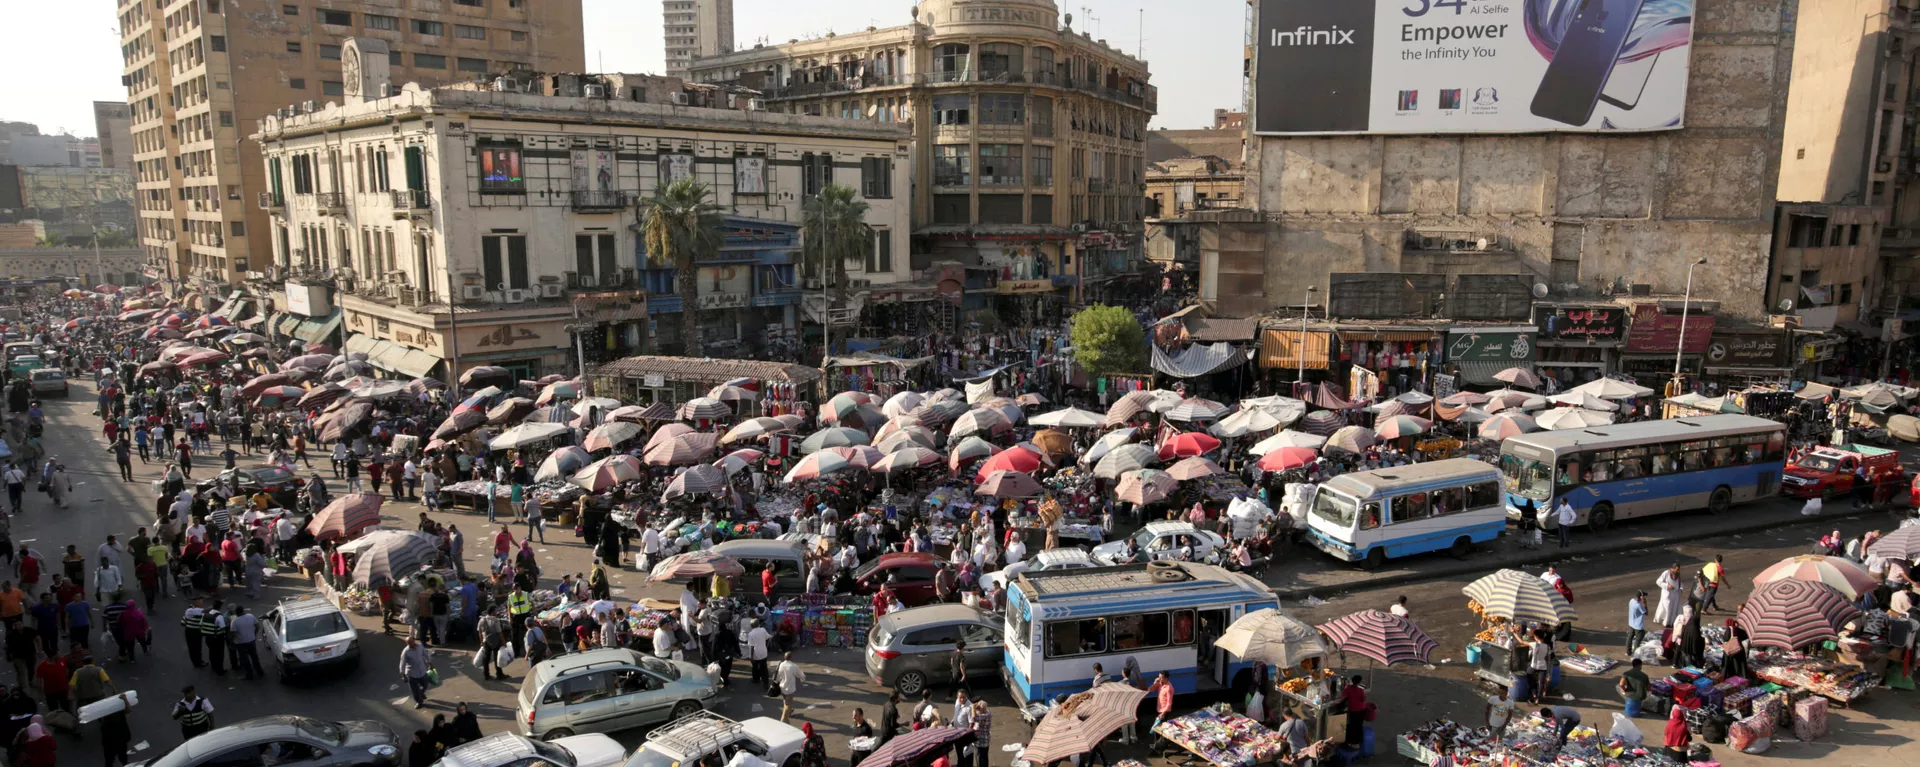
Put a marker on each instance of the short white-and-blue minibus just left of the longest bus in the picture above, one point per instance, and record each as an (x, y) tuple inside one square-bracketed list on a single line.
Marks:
[(1372, 516)]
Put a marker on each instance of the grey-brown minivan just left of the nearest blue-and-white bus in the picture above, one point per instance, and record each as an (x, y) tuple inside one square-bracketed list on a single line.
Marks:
[(913, 649)]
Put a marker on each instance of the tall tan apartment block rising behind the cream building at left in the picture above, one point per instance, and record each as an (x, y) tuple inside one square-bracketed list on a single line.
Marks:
[(203, 74)]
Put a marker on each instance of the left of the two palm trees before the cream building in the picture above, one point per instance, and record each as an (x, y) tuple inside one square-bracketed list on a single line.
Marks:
[(683, 226)]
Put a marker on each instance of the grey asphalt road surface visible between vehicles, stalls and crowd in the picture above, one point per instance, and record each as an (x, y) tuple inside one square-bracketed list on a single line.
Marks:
[(105, 507)]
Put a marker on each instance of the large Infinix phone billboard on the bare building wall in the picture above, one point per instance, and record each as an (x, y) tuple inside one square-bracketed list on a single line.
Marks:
[(1472, 66)]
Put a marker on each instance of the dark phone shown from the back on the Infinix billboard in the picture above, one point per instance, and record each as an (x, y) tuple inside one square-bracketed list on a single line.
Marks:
[(1585, 61)]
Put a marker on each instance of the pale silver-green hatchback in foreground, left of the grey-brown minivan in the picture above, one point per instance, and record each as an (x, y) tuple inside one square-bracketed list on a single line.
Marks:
[(608, 691)]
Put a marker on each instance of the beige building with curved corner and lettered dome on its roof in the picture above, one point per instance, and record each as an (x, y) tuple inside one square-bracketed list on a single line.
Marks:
[(1030, 136)]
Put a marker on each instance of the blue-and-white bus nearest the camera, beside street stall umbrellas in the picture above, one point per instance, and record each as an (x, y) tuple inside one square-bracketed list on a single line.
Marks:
[(1163, 614)]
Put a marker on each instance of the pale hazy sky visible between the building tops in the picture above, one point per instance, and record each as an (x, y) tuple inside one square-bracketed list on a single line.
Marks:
[(68, 53)]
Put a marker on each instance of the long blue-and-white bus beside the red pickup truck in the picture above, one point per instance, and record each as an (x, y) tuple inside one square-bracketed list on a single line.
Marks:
[(1646, 468)]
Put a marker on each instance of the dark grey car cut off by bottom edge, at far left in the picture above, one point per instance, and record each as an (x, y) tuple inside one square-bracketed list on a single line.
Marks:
[(289, 741)]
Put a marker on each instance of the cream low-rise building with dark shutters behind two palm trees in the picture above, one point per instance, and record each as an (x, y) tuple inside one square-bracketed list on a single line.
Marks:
[(500, 226)]
